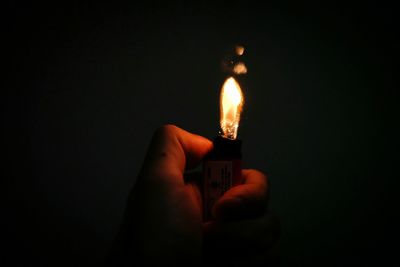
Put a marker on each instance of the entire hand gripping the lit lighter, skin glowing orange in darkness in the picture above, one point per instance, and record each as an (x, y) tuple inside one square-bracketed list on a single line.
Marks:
[(163, 218)]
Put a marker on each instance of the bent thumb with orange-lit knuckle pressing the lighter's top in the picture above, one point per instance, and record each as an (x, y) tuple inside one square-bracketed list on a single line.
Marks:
[(171, 151)]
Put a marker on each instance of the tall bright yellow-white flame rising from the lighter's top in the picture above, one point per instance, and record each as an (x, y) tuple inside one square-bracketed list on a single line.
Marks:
[(231, 107)]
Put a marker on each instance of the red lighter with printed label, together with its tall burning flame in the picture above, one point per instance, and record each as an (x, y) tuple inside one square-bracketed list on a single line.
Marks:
[(222, 166)]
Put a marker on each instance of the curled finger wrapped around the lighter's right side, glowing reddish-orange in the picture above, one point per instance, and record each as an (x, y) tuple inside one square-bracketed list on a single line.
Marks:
[(244, 201)]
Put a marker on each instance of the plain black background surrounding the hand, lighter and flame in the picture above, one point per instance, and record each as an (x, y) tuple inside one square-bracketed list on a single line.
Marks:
[(86, 85)]
